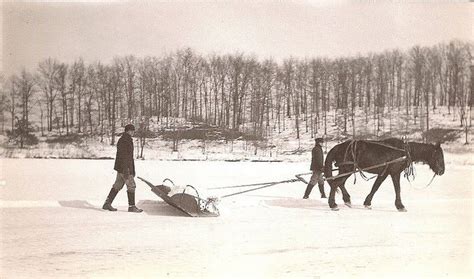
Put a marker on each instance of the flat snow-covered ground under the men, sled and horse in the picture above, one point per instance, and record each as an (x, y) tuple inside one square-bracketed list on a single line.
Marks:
[(52, 225)]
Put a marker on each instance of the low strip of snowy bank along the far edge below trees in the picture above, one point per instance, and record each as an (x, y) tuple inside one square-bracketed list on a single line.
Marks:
[(193, 150)]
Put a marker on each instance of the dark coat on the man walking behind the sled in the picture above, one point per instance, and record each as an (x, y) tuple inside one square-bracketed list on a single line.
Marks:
[(124, 158)]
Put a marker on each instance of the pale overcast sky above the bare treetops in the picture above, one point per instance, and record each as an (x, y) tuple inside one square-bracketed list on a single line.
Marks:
[(278, 29)]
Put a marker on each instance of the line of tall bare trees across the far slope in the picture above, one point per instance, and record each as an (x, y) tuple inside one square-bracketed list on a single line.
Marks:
[(239, 92)]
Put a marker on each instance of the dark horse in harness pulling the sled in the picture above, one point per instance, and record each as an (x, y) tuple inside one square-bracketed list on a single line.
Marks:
[(383, 158)]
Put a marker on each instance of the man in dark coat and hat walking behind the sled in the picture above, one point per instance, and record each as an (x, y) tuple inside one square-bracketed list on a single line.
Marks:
[(125, 168)]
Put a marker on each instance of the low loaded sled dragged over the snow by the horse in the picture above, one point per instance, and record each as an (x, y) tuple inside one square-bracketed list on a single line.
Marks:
[(190, 205)]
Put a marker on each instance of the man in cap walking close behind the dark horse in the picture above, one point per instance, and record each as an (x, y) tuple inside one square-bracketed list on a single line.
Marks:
[(317, 166)]
